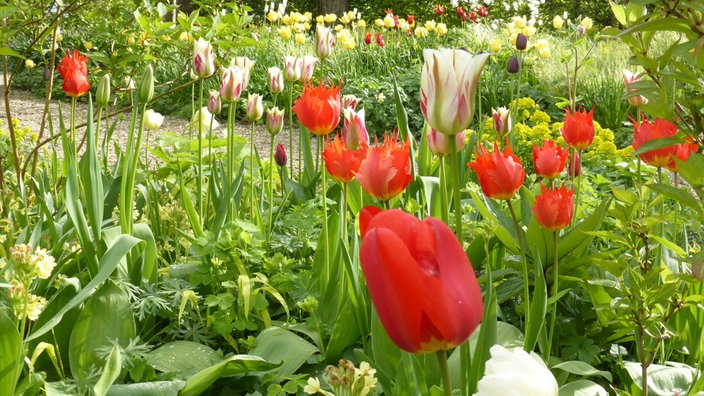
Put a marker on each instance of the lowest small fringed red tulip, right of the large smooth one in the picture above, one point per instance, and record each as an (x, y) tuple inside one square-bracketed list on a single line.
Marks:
[(554, 208)]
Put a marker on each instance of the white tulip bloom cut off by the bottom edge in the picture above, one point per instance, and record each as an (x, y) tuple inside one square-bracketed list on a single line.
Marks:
[(516, 373)]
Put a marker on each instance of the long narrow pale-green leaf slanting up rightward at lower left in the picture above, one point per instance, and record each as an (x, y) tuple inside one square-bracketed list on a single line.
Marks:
[(107, 265)]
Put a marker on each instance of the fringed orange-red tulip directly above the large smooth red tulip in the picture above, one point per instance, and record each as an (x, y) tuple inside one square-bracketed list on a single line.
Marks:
[(386, 170)]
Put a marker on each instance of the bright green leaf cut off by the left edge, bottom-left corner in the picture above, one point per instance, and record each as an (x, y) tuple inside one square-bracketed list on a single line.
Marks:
[(11, 355)]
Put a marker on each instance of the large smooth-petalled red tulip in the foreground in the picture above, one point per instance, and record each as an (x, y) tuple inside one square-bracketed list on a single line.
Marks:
[(420, 280)]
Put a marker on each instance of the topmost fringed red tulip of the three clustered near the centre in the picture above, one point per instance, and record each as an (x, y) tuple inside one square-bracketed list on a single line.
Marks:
[(318, 108)]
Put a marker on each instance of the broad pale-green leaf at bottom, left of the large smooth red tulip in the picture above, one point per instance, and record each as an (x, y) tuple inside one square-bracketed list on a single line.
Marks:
[(280, 345)]
